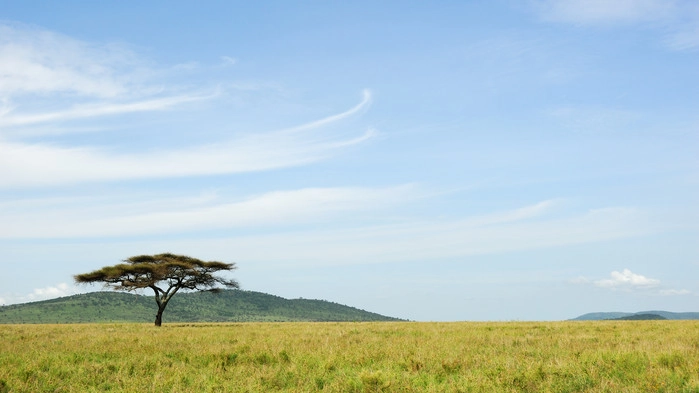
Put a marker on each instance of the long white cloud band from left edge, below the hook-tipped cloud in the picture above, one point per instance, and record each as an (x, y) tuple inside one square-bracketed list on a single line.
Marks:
[(66, 218)]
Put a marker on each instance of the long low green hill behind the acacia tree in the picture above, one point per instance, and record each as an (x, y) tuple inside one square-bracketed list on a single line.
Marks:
[(225, 306)]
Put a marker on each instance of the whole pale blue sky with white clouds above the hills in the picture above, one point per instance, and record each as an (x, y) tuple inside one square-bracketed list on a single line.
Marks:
[(433, 161)]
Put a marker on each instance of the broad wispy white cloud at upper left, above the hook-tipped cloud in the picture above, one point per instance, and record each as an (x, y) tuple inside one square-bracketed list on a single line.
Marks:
[(46, 77)]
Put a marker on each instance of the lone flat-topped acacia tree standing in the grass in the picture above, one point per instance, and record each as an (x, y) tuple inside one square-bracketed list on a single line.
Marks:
[(165, 274)]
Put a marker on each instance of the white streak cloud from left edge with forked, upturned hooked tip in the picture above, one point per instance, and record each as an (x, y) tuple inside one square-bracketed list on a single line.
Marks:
[(23, 164)]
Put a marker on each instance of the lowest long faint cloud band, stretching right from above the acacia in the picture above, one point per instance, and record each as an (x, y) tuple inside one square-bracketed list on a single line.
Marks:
[(422, 240)]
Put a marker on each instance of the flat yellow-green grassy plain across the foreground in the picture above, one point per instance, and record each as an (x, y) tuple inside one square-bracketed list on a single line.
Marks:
[(620, 356)]
